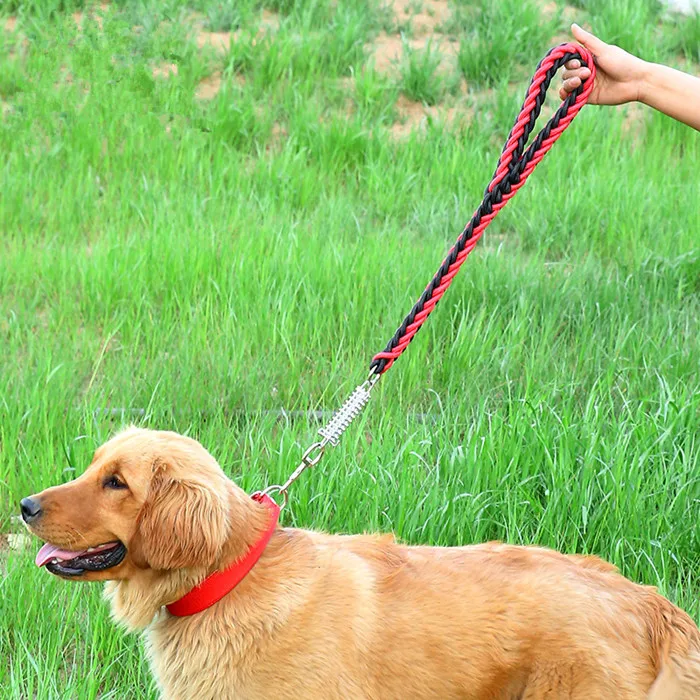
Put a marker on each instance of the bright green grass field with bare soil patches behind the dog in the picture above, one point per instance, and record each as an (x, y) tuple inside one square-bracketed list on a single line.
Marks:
[(210, 217)]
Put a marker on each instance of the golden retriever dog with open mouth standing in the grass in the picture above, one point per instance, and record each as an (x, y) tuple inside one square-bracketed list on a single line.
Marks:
[(359, 617)]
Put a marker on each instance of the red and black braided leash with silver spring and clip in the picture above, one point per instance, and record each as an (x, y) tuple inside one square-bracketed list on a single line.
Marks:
[(514, 167)]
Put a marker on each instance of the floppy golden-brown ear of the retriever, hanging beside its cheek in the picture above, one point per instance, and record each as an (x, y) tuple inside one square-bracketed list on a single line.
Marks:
[(182, 525)]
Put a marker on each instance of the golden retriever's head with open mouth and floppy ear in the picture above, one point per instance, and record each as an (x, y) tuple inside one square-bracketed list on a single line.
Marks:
[(149, 500)]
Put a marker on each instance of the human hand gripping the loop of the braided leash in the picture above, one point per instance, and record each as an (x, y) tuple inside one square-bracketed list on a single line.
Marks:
[(619, 75)]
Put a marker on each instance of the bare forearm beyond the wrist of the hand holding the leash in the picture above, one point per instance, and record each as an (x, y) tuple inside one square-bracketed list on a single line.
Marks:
[(672, 92)]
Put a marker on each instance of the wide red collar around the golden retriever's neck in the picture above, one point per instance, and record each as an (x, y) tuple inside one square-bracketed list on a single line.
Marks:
[(218, 584)]
